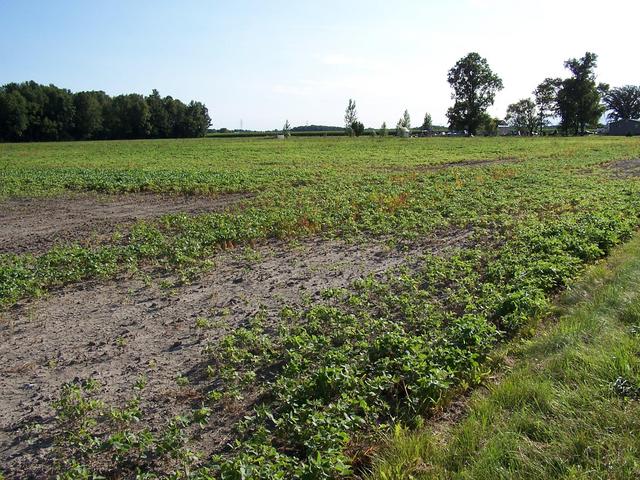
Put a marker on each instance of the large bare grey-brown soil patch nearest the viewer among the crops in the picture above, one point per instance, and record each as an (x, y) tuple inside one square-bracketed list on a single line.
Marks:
[(118, 331)]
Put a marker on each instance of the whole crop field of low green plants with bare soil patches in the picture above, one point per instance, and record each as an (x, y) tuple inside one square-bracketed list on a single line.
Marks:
[(255, 308)]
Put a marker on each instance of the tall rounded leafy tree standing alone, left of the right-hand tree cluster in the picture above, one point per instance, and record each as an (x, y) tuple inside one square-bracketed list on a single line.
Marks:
[(474, 89)]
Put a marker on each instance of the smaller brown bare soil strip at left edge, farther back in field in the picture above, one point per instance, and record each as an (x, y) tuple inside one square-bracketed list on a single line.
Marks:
[(36, 225)]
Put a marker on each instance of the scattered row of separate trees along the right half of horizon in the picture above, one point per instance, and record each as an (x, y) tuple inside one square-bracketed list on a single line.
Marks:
[(578, 102)]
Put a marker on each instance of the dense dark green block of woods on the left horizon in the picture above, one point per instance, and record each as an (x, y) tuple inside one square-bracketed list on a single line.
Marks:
[(33, 112)]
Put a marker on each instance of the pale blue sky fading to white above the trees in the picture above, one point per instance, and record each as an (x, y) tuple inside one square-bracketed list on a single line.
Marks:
[(258, 63)]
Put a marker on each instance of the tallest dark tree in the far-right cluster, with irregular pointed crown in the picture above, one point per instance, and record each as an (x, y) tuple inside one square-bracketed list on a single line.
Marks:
[(579, 97)]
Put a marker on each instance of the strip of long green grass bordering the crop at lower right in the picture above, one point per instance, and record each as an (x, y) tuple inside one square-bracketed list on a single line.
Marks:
[(569, 407)]
